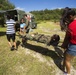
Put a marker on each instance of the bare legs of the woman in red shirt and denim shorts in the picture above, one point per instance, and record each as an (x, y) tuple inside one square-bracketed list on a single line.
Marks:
[(67, 60)]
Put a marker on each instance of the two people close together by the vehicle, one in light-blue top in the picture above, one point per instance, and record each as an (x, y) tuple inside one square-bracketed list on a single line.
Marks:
[(25, 24)]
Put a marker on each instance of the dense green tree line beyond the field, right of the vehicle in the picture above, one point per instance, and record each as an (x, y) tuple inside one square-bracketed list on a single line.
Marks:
[(48, 15)]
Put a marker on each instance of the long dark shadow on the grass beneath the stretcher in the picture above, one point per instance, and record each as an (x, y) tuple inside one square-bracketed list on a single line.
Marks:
[(55, 55)]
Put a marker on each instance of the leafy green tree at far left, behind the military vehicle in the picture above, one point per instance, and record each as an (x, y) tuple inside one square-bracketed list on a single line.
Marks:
[(4, 5)]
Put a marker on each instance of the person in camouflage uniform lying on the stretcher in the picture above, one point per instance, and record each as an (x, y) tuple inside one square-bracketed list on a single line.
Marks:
[(46, 39)]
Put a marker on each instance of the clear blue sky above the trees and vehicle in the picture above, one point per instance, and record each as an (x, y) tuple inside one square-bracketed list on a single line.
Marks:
[(30, 5)]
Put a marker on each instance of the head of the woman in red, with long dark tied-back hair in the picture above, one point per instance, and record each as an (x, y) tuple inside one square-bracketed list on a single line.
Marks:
[(67, 16)]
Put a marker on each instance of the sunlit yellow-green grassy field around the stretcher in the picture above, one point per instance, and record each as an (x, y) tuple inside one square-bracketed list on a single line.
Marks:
[(36, 58)]
